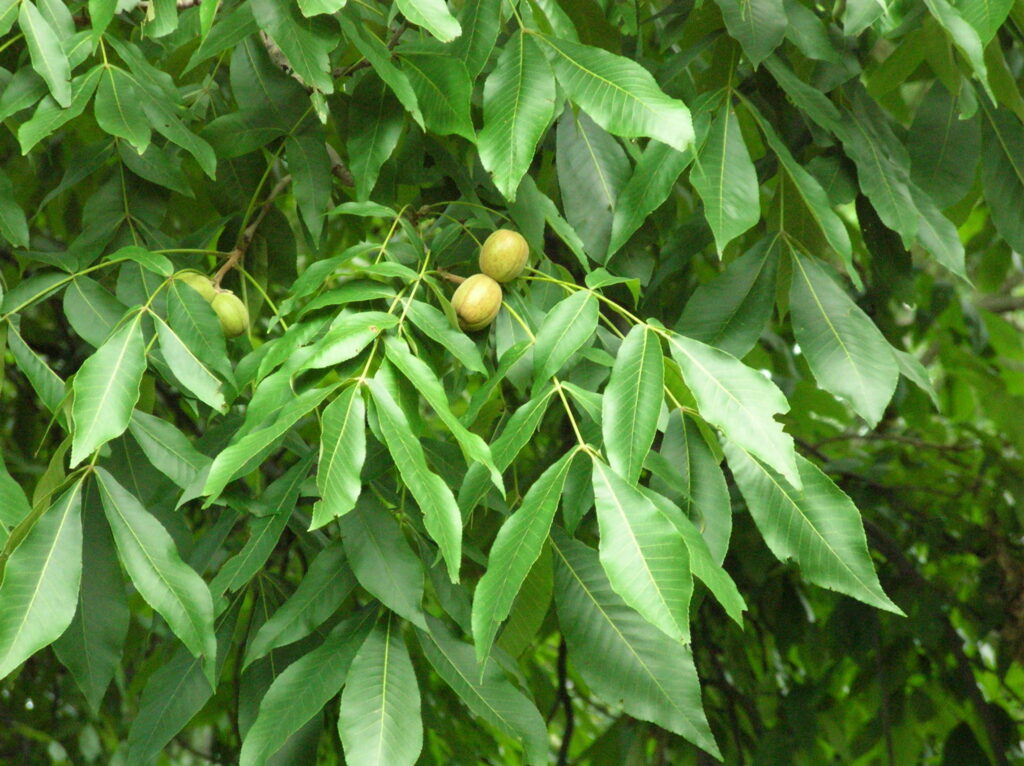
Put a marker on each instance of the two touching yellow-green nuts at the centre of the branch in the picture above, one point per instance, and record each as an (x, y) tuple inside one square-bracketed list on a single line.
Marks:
[(478, 301)]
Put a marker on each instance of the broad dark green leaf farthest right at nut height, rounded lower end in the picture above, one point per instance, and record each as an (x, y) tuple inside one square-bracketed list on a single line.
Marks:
[(846, 352)]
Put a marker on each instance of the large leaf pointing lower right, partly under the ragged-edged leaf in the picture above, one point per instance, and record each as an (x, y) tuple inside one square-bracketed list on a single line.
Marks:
[(818, 527)]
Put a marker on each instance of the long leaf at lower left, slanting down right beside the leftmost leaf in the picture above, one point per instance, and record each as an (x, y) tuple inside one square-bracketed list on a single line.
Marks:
[(152, 561)]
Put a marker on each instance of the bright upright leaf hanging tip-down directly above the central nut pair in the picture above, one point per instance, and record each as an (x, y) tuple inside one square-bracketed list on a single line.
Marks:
[(519, 107)]
